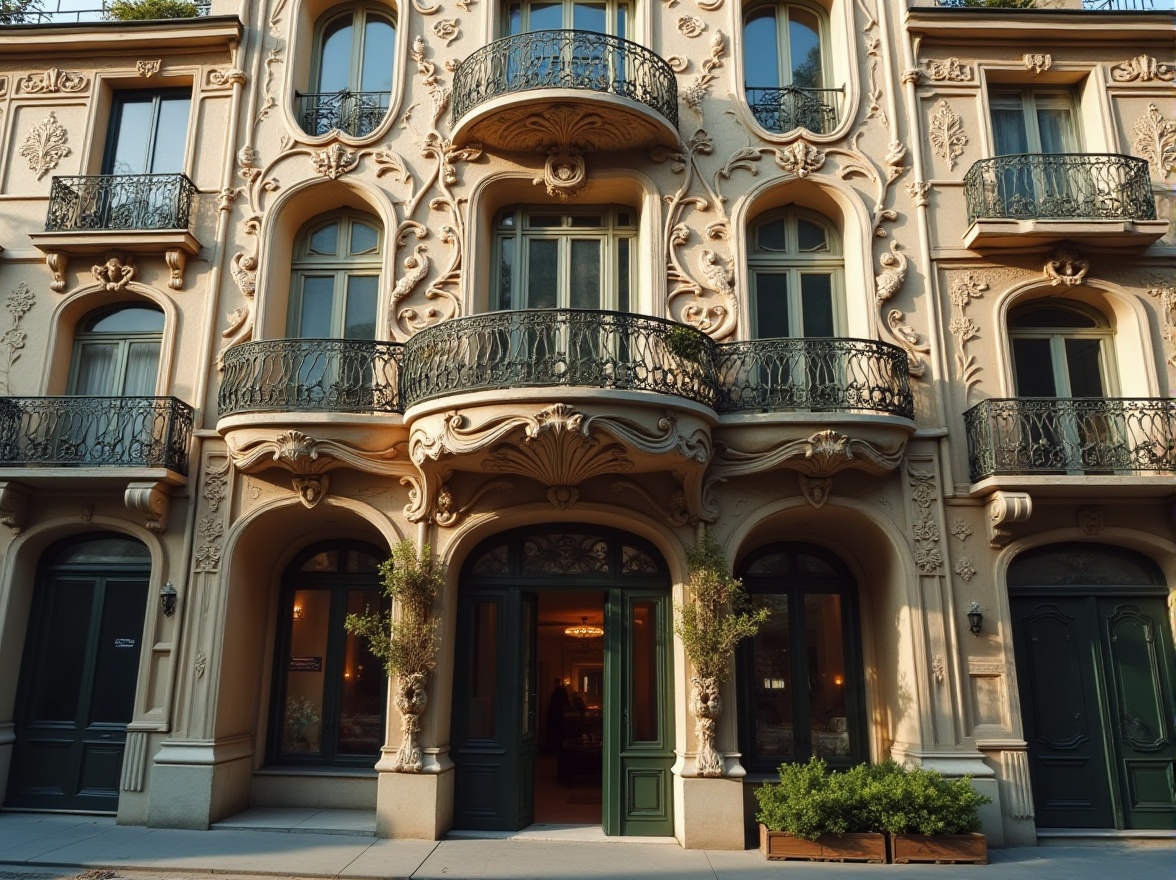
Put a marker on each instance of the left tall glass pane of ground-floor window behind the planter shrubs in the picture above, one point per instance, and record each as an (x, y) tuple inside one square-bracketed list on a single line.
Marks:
[(772, 682)]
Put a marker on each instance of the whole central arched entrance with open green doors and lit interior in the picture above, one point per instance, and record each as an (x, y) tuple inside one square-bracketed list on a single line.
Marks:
[(563, 697)]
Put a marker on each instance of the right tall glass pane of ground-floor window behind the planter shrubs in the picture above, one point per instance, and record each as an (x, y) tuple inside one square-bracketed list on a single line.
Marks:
[(826, 655)]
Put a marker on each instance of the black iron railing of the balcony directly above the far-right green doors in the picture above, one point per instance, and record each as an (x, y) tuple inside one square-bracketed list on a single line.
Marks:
[(1030, 436)]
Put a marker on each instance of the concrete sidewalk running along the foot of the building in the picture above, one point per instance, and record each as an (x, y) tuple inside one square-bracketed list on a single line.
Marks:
[(54, 848)]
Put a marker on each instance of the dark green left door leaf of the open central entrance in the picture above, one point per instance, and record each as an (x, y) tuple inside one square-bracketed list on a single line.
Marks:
[(496, 711)]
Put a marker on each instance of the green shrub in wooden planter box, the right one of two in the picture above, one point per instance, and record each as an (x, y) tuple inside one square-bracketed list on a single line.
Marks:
[(928, 818)]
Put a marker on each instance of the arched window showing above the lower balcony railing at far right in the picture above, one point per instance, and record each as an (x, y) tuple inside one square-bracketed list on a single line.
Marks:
[(1061, 350)]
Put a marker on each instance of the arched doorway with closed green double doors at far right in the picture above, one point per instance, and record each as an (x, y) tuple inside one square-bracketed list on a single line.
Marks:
[(1094, 656)]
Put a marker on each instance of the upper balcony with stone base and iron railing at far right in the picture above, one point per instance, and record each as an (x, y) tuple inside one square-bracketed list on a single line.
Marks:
[(1034, 198)]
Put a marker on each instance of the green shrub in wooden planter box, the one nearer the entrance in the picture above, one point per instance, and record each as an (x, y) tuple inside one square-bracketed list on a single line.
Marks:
[(818, 816)]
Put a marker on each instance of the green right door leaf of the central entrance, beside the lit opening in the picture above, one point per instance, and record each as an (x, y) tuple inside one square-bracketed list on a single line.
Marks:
[(639, 749)]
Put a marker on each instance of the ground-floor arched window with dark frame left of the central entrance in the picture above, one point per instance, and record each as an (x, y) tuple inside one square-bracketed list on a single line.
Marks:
[(330, 690)]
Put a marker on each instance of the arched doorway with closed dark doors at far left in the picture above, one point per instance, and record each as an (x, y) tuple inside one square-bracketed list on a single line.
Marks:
[(79, 675)]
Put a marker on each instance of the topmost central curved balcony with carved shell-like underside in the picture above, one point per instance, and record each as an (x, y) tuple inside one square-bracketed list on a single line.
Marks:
[(573, 89)]
